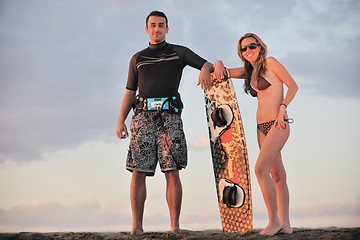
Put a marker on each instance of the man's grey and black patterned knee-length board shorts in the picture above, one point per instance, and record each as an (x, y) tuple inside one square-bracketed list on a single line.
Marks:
[(156, 137)]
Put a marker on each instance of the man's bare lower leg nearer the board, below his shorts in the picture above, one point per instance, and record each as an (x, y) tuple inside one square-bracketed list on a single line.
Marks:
[(174, 198)]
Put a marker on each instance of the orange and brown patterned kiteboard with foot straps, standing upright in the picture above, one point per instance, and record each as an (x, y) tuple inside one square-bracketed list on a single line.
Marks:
[(229, 156)]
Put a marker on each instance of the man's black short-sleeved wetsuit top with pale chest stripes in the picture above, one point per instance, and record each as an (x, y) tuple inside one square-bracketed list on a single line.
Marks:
[(157, 70)]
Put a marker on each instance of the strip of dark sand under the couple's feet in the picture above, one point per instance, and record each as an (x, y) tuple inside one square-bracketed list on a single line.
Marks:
[(299, 233)]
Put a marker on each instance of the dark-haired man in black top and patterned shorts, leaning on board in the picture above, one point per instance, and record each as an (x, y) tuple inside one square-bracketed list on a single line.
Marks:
[(156, 127)]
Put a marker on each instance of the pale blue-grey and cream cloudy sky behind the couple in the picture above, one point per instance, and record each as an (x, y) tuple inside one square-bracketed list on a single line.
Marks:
[(63, 70)]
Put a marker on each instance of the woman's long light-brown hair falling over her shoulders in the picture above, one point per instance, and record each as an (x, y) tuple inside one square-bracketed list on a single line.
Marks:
[(260, 62)]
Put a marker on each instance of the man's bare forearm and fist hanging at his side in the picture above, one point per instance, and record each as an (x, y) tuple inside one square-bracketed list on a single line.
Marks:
[(126, 105)]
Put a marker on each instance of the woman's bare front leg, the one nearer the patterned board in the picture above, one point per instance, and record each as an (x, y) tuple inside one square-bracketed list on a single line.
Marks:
[(270, 147)]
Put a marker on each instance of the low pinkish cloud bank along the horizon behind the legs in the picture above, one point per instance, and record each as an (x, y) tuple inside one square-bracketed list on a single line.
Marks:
[(84, 216)]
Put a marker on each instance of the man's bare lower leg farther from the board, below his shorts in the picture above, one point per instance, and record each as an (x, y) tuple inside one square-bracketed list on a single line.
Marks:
[(137, 198)]
